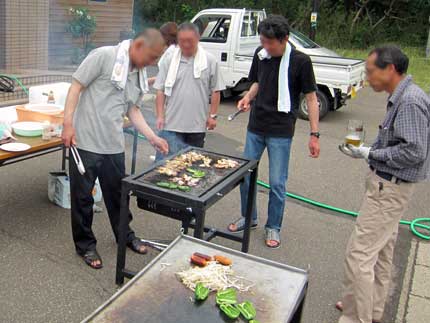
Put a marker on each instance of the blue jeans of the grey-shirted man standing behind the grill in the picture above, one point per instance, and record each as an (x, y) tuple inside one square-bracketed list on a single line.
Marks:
[(178, 141)]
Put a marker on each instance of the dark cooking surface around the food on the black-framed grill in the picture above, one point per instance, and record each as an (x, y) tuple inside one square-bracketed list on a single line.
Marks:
[(212, 178)]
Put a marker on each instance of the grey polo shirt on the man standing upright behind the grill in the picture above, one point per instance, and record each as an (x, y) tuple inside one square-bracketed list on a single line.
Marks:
[(187, 109)]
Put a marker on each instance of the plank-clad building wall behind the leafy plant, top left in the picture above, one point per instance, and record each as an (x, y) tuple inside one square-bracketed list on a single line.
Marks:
[(112, 17)]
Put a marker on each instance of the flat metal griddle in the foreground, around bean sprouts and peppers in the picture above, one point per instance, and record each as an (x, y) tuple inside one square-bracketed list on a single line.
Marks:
[(157, 296)]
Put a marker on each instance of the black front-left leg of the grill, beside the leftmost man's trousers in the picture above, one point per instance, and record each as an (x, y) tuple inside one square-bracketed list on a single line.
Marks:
[(122, 236)]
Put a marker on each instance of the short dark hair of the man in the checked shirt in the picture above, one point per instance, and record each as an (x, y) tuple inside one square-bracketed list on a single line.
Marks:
[(387, 55)]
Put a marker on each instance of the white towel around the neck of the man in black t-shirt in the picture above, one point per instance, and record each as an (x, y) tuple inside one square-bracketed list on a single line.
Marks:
[(284, 99)]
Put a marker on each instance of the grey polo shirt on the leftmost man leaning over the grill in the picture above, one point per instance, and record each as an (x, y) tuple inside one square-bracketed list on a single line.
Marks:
[(99, 116)]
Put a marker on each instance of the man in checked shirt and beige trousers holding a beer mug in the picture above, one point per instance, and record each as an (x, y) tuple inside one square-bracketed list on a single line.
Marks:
[(399, 158)]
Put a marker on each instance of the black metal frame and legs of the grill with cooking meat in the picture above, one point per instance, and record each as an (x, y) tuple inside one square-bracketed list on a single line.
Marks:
[(185, 207)]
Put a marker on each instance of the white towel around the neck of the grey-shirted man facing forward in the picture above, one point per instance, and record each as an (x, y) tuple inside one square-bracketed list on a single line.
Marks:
[(200, 64)]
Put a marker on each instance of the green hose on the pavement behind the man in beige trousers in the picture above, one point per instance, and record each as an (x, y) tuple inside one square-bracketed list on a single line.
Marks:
[(417, 223)]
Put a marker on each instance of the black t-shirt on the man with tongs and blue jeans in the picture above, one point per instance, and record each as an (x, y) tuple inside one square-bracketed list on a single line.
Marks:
[(265, 119)]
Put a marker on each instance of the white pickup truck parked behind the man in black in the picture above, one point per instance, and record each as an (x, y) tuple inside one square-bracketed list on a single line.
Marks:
[(231, 35)]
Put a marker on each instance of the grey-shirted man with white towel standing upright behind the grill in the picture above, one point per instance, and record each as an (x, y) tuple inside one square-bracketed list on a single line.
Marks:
[(183, 112)]
